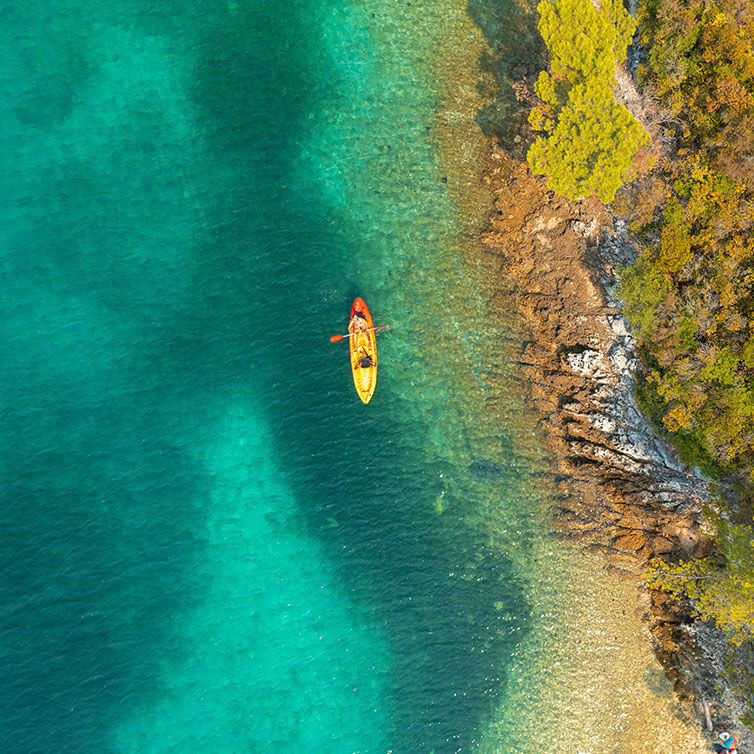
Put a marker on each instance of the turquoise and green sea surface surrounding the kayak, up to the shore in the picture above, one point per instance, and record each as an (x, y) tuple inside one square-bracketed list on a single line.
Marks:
[(208, 544)]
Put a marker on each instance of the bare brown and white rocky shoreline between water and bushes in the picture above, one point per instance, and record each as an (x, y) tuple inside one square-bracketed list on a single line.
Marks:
[(619, 485)]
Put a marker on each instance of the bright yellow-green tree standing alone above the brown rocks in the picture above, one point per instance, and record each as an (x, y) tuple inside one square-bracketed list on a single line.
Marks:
[(590, 141)]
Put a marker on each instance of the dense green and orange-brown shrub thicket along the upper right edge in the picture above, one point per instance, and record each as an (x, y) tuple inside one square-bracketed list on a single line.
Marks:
[(691, 294)]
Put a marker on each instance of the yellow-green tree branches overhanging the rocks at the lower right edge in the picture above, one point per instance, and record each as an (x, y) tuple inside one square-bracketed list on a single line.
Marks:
[(720, 590)]
